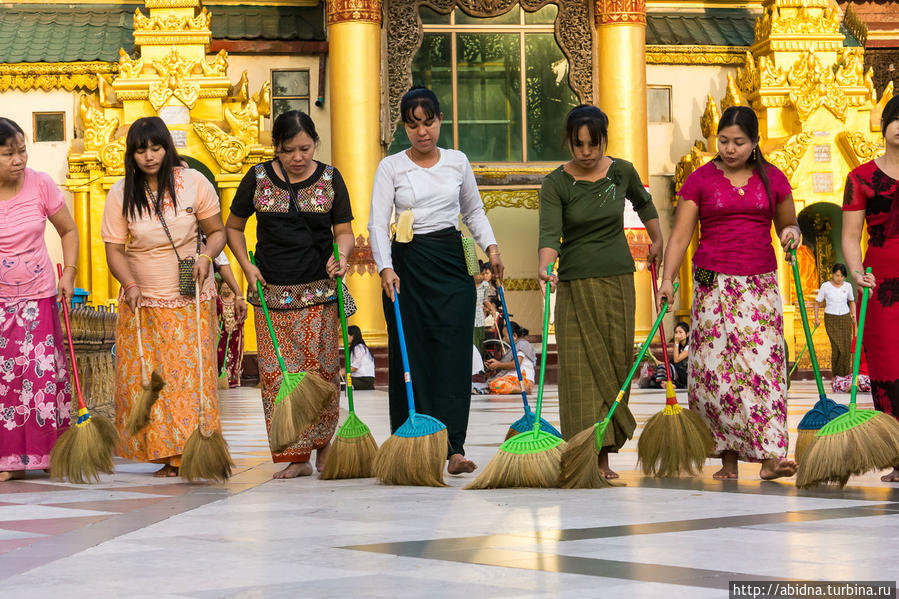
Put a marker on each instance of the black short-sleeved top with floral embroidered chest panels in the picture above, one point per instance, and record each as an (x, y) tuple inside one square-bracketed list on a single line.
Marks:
[(294, 235)]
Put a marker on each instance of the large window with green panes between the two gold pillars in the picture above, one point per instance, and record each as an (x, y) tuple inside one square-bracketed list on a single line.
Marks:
[(502, 83)]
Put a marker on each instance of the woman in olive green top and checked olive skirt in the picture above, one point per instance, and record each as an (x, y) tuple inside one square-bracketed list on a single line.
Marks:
[(582, 223)]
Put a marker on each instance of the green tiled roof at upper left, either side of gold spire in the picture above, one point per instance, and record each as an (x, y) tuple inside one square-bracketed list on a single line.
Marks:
[(70, 33)]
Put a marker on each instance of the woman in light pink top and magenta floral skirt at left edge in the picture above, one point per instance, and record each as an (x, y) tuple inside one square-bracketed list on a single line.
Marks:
[(35, 396)]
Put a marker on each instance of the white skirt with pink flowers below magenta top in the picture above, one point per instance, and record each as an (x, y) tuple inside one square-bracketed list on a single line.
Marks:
[(737, 376)]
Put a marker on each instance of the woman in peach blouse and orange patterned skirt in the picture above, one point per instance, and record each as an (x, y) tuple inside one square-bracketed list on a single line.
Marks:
[(144, 259)]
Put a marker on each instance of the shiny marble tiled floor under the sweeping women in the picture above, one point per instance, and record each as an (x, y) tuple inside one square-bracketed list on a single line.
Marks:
[(136, 536)]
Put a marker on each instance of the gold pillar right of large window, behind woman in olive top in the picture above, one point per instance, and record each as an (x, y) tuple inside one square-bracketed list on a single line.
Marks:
[(621, 79)]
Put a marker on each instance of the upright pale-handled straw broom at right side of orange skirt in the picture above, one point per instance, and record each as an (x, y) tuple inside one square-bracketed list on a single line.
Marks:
[(205, 457)]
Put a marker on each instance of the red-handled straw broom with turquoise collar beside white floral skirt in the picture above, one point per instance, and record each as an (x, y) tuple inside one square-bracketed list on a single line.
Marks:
[(675, 442)]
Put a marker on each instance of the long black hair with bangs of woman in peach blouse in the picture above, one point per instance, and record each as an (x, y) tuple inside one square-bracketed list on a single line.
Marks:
[(143, 133)]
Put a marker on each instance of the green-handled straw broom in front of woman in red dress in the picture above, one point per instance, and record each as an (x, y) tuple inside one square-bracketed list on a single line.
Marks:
[(852, 443)]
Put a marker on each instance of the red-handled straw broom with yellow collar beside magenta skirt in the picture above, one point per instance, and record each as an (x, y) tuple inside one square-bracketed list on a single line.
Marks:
[(85, 450)]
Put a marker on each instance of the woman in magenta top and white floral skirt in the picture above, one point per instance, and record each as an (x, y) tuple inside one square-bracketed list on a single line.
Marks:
[(737, 369)]
